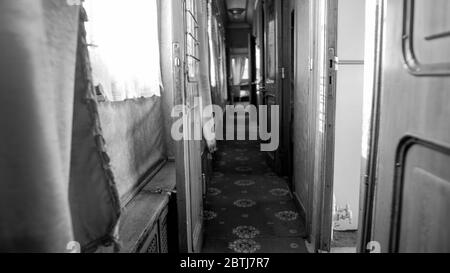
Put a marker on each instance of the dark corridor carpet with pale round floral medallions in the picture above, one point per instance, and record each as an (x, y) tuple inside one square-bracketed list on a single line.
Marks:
[(249, 209)]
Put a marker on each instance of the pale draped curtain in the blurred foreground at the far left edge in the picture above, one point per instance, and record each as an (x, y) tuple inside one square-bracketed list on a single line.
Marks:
[(38, 55)]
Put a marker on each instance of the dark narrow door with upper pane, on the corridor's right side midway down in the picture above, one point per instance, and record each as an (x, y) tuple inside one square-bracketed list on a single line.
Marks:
[(271, 91)]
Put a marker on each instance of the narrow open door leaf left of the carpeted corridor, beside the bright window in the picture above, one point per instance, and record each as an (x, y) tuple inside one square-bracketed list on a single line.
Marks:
[(189, 168)]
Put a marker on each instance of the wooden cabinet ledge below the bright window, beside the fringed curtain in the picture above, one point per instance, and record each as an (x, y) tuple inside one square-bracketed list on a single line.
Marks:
[(150, 218)]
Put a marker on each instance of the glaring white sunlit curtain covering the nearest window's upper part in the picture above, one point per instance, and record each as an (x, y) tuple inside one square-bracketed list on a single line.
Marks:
[(124, 47)]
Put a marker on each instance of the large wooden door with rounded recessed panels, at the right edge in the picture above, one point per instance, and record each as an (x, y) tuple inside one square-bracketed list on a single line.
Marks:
[(412, 198)]
